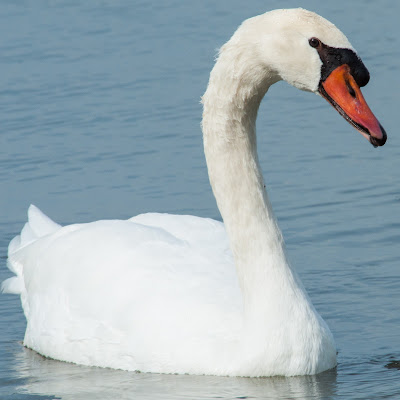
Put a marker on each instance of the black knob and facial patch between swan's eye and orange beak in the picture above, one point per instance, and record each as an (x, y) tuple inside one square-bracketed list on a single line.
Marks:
[(333, 57)]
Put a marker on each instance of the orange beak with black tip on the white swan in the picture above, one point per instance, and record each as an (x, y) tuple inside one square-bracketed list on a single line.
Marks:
[(342, 91)]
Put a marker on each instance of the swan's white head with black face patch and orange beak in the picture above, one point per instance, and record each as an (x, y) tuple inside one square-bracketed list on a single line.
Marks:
[(311, 54)]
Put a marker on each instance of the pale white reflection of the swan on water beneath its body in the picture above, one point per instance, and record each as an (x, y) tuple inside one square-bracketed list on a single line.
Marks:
[(44, 377)]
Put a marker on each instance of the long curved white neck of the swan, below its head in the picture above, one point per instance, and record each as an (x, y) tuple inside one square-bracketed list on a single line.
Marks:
[(231, 103)]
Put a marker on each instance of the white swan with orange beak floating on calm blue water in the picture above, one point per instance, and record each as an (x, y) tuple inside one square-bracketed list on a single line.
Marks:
[(182, 294)]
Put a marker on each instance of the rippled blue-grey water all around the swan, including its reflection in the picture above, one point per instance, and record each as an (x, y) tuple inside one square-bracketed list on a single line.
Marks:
[(99, 117)]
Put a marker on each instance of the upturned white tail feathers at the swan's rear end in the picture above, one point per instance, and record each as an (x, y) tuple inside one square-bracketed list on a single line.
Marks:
[(38, 225)]
